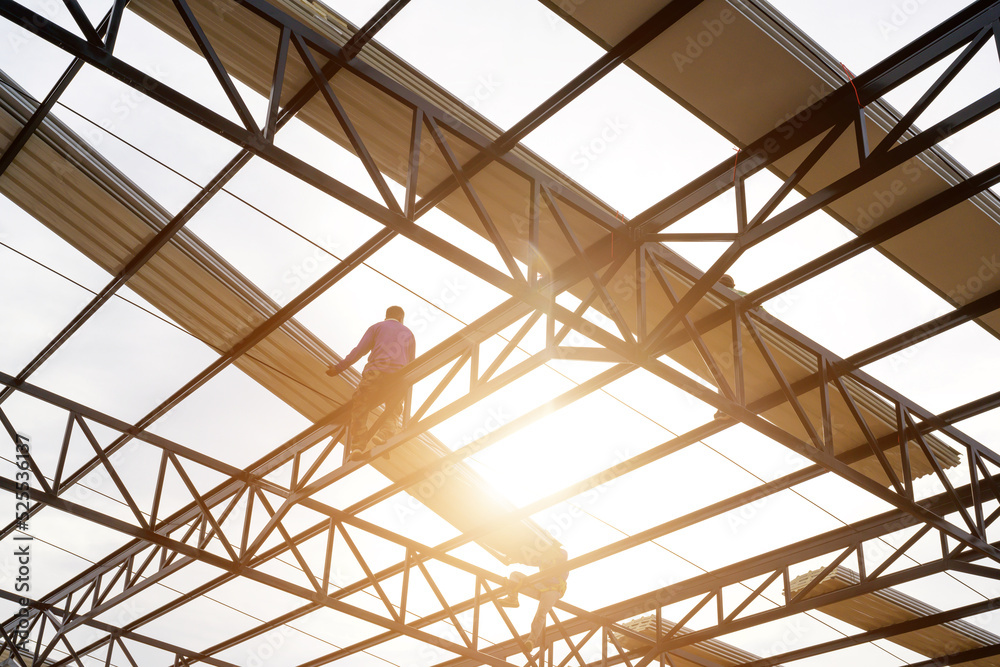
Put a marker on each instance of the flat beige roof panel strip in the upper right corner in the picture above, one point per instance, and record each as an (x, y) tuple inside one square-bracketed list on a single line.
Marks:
[(749, 84)]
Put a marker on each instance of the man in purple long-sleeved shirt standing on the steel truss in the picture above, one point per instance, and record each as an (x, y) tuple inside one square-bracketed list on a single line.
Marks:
[(391, 345)]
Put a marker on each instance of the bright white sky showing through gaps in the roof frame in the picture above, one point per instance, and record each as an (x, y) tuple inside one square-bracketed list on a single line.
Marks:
[(284, 236)]
